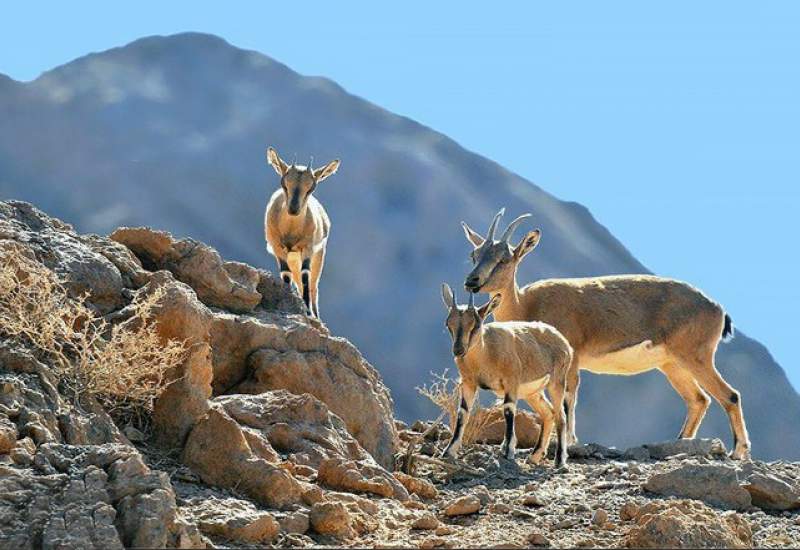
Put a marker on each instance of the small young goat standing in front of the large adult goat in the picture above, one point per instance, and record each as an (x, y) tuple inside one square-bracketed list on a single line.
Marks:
[(513, 359)]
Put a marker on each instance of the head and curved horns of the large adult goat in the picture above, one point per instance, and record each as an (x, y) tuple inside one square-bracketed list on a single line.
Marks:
[(496, 260)]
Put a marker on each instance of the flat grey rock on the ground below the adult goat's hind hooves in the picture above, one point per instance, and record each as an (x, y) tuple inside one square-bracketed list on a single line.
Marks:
[(715, 484)]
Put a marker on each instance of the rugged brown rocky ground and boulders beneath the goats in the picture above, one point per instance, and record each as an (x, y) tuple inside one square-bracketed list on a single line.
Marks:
[(273, 432)]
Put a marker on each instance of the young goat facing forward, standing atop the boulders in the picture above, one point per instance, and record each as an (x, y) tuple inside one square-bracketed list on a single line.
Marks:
[(297, 226)]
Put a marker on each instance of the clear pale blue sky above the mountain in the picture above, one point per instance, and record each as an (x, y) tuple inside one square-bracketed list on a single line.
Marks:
[(677, 124)]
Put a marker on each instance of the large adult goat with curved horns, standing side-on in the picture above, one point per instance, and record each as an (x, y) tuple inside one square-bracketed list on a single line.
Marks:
[(622, 324)]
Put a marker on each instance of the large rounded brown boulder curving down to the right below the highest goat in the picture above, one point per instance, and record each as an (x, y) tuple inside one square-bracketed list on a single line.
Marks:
[(333, 371)]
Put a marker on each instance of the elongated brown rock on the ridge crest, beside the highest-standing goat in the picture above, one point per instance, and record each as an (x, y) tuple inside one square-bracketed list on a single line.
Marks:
[(227, 285)]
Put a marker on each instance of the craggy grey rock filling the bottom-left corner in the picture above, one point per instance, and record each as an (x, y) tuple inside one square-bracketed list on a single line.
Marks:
[(88, 496)]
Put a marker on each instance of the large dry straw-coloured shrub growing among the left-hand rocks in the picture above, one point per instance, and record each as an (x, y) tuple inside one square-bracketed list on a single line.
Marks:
[(121, 365)]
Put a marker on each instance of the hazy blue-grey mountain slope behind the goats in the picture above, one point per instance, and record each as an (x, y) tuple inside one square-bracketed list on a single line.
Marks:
[(171, 132)]
